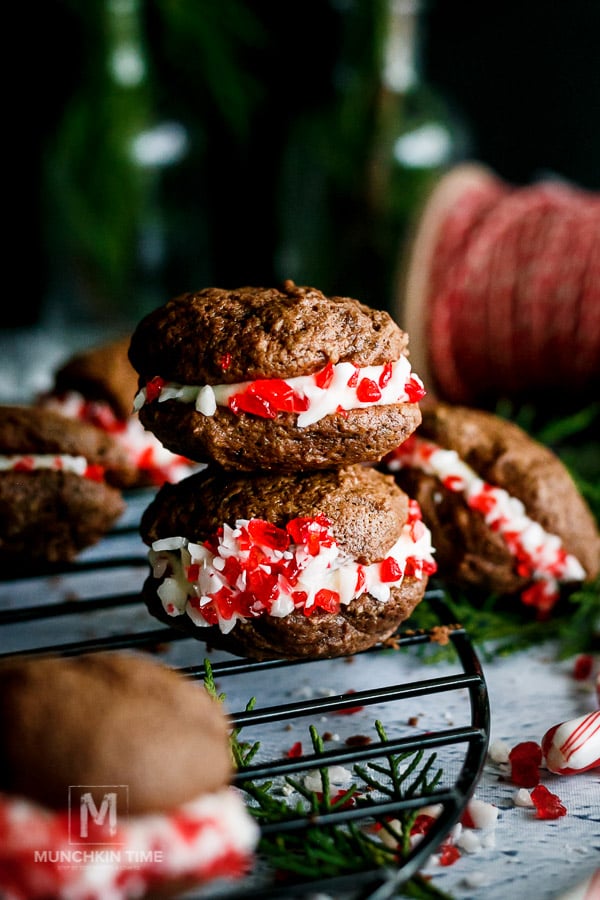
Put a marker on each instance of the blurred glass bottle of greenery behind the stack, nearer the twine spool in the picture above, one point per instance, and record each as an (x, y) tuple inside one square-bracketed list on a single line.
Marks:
[(357, 171)]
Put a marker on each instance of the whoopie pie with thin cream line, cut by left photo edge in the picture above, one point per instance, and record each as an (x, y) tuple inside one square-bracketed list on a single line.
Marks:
[(57, 492)]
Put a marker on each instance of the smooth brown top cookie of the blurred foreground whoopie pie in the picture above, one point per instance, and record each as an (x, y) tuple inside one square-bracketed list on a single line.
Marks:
[(109, 719)]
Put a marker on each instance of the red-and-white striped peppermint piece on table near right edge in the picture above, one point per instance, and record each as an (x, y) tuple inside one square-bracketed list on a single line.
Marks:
[(573, 746)]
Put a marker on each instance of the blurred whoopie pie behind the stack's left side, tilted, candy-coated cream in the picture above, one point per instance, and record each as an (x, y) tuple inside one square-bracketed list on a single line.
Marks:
[(98, 385)]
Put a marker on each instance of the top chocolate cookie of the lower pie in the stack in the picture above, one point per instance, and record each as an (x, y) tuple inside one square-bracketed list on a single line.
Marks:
[(366, 508)]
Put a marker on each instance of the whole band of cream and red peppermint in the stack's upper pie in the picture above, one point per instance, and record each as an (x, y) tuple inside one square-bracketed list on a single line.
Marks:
[(335, 388)]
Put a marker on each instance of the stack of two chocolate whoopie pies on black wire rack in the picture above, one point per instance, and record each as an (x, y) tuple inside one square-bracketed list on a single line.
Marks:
[(289, 543)]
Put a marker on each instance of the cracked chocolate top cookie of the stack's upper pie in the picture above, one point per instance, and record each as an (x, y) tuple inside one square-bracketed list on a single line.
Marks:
[(226, 336)]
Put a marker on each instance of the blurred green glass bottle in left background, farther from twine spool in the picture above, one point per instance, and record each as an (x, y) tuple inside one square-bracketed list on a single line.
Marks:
[(106, 230)]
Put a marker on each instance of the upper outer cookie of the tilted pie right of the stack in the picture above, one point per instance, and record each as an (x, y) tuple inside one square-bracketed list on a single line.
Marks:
[(504, 455)]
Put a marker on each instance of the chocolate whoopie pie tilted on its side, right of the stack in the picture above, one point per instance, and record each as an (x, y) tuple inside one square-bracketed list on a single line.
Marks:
[(504, 512)]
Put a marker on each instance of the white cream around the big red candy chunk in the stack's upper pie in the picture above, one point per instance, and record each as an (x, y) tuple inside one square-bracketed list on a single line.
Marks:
[(322, 401)]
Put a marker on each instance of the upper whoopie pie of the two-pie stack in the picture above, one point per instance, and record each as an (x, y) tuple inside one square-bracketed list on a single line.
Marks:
[(279, 380)]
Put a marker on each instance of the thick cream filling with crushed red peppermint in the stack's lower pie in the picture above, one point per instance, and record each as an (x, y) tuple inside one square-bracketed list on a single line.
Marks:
[(257, 568)]
